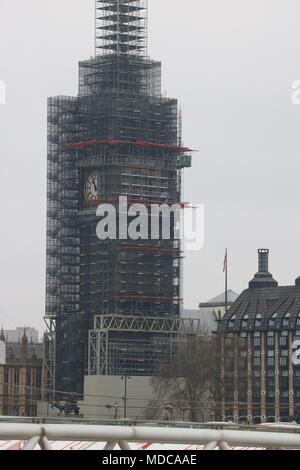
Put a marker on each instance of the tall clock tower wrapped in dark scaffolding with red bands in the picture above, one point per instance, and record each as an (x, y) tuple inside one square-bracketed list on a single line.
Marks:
[(118, 137)]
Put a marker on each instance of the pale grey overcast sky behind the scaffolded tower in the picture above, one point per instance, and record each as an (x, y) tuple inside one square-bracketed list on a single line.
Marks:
[(231, 64)]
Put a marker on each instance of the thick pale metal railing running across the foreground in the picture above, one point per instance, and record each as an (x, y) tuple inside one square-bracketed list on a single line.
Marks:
[(124, 436)]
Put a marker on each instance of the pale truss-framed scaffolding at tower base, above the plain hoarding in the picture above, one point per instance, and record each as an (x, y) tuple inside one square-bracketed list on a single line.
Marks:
[(136, 346)]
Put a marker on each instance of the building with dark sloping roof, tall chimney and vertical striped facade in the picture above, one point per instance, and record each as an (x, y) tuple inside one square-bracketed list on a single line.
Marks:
[(260, 379)]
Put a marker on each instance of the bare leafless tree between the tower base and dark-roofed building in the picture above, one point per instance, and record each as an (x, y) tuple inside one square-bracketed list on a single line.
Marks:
[(186, 385)]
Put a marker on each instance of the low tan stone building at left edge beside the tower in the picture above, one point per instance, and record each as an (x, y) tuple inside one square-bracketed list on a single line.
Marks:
[(20, 376)]
